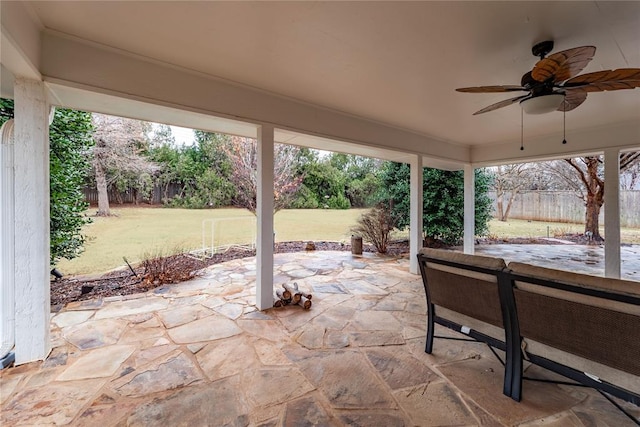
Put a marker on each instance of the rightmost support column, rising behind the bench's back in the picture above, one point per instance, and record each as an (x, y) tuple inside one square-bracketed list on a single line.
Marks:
[(612, 213)]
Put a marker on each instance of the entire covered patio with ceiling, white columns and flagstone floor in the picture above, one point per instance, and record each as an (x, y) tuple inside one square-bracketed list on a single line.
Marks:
[(370, 78)]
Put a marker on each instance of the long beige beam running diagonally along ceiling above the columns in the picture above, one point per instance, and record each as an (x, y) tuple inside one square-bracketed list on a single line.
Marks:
[(67, 61)]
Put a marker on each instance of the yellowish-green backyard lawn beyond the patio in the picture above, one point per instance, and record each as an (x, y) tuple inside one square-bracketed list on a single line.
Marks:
[(138, 232)]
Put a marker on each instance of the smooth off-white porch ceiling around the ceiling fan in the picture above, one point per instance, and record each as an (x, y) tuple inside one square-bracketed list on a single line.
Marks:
[(395, 63)]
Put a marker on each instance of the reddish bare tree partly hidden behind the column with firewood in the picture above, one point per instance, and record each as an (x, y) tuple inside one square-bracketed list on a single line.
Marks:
[(243, 153)]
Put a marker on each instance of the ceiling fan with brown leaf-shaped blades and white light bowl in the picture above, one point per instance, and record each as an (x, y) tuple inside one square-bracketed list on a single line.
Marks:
[(554, 84)]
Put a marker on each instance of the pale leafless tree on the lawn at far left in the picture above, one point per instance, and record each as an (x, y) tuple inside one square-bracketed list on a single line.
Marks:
[(117, 152)]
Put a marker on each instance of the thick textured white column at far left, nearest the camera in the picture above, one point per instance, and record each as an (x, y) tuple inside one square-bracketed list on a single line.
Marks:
[(31, 221)]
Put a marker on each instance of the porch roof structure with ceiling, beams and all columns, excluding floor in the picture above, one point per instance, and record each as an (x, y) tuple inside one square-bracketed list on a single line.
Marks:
[(376, 79)]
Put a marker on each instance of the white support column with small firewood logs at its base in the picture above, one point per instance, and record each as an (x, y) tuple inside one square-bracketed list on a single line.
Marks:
[(264, 245)]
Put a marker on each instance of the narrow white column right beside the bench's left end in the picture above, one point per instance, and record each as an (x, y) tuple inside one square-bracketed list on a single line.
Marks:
[(415, 215)]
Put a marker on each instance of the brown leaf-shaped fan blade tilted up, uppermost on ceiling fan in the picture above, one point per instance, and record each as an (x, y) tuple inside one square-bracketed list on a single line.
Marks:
[(563, 65)]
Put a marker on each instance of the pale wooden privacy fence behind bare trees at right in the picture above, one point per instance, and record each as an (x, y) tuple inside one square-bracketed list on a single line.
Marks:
[(566, 206)]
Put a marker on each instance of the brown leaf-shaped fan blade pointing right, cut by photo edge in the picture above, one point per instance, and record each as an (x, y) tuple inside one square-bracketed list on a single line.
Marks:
[(600, 81)]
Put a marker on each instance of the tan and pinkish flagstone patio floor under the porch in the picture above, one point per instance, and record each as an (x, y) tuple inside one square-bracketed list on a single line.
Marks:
[(200, 354)]
